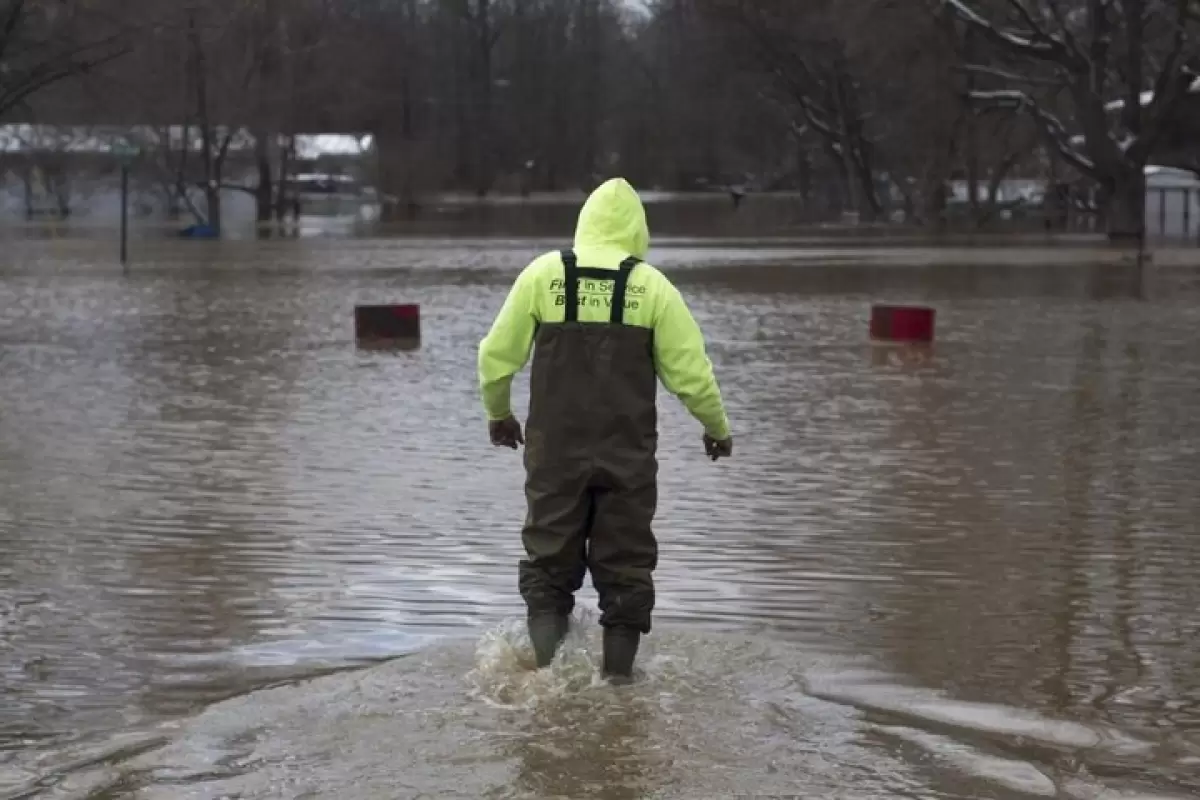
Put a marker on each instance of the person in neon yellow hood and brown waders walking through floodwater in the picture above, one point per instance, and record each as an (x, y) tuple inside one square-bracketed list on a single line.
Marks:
[(607, 324)]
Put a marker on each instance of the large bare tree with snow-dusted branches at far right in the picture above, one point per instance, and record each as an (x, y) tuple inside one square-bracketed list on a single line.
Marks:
[(1120, 71)]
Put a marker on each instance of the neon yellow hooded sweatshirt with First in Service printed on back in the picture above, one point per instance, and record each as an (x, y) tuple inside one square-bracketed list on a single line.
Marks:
[(611, 227)]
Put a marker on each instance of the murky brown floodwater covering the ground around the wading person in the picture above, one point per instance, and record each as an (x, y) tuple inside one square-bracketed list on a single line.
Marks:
[(243, 558)]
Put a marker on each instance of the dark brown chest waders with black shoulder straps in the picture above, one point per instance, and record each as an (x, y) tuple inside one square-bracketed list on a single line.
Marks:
[(591, 467)]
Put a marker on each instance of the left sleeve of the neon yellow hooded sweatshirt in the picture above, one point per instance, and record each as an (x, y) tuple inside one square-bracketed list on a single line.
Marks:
[(506, 350)]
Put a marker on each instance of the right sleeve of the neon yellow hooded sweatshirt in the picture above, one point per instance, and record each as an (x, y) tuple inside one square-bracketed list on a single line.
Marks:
[(683, 364)]
